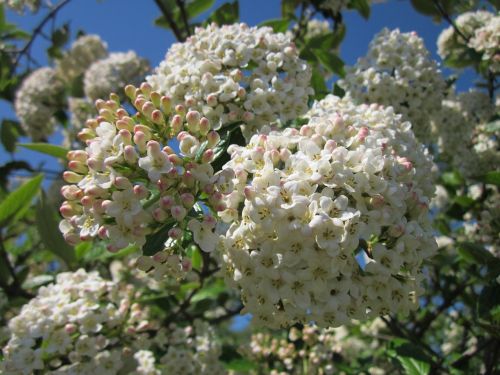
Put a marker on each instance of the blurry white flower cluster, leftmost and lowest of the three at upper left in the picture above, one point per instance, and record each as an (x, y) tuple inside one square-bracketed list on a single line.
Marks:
[(41, 95)]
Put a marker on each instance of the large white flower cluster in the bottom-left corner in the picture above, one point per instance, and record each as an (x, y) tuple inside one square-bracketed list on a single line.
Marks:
[(79, 325)]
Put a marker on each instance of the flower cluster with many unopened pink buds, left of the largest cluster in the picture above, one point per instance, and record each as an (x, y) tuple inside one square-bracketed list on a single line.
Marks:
[(129, 182)]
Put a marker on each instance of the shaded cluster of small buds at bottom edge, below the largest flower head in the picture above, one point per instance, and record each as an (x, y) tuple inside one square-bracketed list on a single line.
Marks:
[(310, 349)]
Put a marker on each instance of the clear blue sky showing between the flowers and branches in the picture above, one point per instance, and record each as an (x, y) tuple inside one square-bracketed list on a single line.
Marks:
[(128, 25)]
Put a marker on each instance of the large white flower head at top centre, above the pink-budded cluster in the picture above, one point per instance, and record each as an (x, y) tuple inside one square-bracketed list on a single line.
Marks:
[(236, 73)]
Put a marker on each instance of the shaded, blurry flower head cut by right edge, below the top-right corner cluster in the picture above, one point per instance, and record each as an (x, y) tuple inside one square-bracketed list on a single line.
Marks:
[(463, 138)]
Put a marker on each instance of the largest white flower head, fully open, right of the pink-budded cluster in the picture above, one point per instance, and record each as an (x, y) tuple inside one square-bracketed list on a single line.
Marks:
[(335, 223)]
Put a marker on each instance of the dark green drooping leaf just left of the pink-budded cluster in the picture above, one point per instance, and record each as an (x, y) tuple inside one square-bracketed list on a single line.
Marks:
[(48, 229)]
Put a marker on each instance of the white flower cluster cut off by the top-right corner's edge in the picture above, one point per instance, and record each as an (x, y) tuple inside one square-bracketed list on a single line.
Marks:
[(481, 28)]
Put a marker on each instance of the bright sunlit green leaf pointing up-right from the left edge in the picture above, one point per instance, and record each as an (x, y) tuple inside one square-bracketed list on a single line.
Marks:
[(16, 203)]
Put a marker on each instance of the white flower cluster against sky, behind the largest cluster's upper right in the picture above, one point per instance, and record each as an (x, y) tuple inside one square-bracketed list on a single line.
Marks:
[(398, 71)]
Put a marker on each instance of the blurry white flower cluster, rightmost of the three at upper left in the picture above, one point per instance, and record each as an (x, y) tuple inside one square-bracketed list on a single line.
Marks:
[(113, 73)]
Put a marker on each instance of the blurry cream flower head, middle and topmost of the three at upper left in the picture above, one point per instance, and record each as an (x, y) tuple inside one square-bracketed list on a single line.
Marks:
[(84, 51)]
